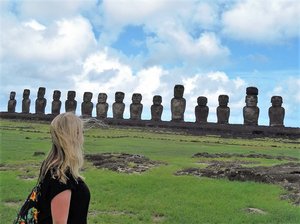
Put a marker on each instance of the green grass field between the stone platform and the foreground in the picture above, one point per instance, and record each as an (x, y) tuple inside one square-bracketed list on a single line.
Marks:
[(157, 195)]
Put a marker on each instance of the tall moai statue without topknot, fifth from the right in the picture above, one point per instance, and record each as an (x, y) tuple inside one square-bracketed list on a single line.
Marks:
[(178, 104)]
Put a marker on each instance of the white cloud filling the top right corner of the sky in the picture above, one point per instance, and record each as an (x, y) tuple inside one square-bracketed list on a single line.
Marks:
[(267, 21)]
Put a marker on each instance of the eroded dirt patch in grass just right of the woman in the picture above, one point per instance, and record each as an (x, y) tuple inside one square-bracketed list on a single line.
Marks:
[(122, 162)]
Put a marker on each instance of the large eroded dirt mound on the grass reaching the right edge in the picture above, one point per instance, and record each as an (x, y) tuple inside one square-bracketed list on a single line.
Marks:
[(287, 175)]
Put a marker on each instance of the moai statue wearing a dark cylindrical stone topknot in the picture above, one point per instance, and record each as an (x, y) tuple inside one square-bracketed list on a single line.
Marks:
[(251, 111)]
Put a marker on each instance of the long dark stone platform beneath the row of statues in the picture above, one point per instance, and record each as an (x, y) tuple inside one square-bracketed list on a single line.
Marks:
[(223, 130)]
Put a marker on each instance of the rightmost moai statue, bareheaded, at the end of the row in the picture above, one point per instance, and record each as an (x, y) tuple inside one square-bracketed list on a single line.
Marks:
[(276, 112)]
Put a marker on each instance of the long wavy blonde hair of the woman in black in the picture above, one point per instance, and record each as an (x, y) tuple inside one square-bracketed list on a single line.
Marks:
[(66, 154)]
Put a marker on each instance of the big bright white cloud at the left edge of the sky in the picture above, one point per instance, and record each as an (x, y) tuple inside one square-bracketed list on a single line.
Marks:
[(62, 41)]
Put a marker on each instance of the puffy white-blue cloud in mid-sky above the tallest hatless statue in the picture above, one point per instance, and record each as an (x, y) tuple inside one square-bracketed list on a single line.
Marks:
[(173, 45)]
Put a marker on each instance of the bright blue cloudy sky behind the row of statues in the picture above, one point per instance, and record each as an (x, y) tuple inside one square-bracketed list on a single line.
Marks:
[(142, 46)]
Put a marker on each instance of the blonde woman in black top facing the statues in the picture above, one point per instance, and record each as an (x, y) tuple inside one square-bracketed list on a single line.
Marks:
[(64, 196)]
